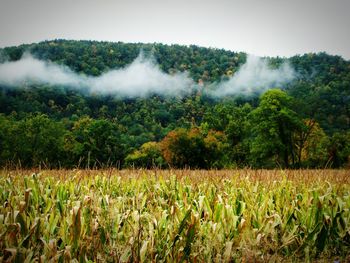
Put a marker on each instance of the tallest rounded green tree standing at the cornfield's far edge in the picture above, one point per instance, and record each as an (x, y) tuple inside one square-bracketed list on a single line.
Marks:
[(273, 124)]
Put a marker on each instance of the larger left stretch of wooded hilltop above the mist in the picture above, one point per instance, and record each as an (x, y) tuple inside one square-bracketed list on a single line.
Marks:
[(93, 58)]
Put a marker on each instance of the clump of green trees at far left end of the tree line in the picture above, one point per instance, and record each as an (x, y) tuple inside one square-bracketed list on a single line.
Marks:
[(33, 141)]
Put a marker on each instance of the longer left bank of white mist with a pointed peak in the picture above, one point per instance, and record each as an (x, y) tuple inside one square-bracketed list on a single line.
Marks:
[(141, 78)]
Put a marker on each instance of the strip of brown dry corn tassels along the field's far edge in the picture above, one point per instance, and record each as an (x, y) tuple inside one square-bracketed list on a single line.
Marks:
[(264, 176)]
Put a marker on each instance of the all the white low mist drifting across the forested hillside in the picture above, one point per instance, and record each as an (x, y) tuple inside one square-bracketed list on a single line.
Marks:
[(143, 77)]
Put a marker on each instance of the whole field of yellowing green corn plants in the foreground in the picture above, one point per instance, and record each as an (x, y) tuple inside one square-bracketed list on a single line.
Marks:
[(175, 216)]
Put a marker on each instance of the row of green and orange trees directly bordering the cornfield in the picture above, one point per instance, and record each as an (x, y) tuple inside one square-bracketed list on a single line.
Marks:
[(269, 135)]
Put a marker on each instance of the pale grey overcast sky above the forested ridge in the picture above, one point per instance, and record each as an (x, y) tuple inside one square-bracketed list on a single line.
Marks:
[(258, 27)]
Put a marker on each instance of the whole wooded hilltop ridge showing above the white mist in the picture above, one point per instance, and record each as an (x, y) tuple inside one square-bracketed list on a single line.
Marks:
[(207, 64)]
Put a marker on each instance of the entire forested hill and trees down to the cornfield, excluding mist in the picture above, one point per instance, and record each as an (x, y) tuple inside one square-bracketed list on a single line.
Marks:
[(71, 127)]
